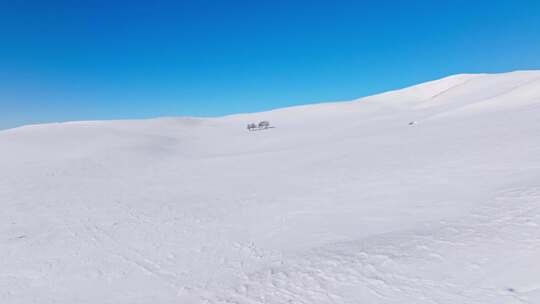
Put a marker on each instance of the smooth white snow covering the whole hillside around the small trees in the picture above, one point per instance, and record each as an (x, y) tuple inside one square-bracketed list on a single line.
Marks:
[(339, 203)]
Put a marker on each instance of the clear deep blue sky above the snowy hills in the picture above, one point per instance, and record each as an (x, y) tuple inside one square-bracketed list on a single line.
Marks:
[(80, 60)]
